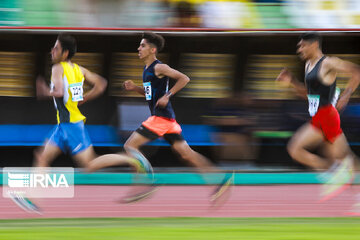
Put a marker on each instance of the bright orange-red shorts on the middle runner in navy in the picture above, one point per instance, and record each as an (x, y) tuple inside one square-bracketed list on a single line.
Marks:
[(162, 126)]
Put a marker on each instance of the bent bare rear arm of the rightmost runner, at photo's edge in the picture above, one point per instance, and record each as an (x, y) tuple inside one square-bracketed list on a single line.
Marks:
[(339, 65)]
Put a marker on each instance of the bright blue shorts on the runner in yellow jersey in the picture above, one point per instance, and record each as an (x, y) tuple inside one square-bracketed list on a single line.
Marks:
[(71, 137)]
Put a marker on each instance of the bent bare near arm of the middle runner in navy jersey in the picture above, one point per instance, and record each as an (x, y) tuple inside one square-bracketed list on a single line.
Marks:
[(181, 79)]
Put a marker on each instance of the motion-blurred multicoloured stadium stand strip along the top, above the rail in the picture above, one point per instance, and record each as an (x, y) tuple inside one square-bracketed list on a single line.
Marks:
[(182, 13)]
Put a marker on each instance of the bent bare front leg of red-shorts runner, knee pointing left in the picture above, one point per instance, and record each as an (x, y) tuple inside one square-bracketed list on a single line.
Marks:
[(307, 137)]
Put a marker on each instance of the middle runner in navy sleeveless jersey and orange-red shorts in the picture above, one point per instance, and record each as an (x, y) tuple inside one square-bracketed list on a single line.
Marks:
[(162, 121)]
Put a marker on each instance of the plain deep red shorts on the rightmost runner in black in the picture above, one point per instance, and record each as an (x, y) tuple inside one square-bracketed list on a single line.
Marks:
[(327, 120)]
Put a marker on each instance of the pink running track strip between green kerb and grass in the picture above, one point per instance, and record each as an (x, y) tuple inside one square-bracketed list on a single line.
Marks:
[(191, 201)]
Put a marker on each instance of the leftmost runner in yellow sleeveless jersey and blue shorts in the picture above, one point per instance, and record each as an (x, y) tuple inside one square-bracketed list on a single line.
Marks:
[(69, 135)]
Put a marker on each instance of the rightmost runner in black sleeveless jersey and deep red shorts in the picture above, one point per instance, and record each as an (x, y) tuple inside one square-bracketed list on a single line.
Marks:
[(324, 128)]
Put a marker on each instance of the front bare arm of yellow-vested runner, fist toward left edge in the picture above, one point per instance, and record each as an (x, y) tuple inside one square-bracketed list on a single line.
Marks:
[(42, 88)]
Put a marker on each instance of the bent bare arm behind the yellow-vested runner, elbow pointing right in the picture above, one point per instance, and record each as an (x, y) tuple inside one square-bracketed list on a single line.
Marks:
[(99, 84)]
